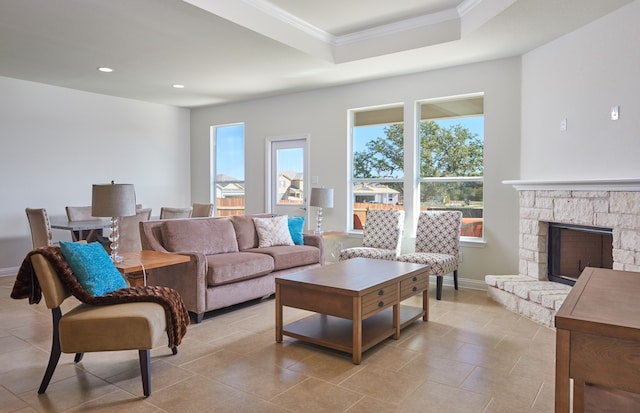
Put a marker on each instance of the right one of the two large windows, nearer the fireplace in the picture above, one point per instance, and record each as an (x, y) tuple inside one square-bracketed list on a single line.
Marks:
[(451, 143)]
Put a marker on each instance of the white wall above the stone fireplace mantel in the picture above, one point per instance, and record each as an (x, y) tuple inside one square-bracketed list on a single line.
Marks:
[(579, 77)]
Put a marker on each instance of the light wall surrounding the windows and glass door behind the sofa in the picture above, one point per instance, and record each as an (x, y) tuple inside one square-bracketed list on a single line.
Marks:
[(323, 114)]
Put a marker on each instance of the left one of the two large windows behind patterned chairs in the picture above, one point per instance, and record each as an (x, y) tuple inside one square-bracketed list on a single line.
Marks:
[(378, 150)]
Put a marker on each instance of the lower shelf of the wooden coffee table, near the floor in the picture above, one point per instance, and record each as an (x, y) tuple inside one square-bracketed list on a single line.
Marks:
[(337, 333)]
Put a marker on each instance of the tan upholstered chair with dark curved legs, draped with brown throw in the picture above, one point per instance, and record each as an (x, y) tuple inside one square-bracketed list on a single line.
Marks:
[(87, 328)]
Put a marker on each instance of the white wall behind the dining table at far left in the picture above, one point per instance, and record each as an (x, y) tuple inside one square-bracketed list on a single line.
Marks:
[(57, 142)]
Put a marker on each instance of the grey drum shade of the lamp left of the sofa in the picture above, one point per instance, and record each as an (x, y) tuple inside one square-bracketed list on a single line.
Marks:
[(113, 200)]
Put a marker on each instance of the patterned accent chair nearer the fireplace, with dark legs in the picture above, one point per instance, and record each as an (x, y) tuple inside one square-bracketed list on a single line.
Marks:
[(437, 244)]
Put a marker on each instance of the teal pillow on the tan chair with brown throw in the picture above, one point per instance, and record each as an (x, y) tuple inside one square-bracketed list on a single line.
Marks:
[(93, 267)]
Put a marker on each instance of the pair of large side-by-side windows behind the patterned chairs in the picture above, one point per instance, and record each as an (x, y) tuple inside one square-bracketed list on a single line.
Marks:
[(449, 145)]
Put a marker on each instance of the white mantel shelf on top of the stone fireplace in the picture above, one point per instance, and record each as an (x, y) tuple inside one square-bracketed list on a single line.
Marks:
[(631, 184)]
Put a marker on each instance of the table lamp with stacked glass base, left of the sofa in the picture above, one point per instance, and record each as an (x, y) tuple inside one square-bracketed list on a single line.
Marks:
[(113, 200)]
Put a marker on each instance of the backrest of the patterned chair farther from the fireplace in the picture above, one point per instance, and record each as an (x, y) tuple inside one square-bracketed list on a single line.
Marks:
[(383, 229)]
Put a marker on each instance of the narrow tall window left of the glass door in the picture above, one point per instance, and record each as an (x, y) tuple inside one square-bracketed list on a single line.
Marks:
[(227, 169)]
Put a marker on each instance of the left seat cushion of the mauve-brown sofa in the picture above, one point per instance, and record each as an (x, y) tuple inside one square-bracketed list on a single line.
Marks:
[(232, 267)]
